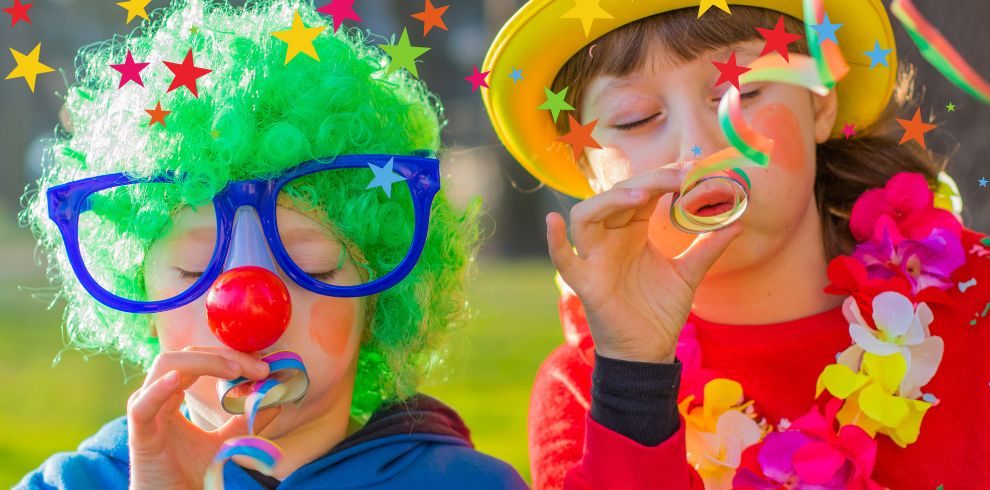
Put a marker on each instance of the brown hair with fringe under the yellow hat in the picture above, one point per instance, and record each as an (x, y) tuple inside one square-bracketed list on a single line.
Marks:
[(844, 169)]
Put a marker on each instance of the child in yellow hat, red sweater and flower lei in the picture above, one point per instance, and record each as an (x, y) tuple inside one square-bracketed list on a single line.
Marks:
[(761, 289)]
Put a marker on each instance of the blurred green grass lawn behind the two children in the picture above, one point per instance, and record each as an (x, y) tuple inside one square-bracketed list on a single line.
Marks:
[(46, 408)]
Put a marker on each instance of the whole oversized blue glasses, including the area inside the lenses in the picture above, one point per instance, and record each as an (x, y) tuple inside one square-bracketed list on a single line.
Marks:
[(91, 211)]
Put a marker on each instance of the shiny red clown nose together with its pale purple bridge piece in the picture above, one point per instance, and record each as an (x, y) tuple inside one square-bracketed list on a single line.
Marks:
[(248, 307)]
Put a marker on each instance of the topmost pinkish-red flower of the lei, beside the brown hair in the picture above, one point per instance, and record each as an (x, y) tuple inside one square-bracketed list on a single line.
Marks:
[(905, 206)]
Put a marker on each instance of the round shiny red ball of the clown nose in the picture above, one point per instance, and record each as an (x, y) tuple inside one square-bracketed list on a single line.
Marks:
[(248, 308)]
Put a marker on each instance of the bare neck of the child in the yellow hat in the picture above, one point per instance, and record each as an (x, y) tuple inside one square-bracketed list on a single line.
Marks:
[(787, 287)]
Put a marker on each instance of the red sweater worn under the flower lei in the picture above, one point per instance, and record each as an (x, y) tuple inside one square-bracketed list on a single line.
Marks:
[(778, 366)]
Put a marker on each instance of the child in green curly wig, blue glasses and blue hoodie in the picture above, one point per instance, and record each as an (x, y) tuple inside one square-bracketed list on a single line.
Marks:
[(245, 203)]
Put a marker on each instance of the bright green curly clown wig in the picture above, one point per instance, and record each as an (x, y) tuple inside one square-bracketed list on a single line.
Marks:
[(254, 117)]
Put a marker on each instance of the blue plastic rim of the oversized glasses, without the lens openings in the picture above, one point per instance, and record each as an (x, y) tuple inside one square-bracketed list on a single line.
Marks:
[(421, 172)]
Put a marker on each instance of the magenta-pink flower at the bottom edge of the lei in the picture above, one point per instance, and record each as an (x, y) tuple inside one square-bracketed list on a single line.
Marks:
[(810, 455)]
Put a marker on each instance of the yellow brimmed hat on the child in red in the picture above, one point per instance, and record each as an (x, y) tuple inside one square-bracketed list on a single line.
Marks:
[(544, 34)]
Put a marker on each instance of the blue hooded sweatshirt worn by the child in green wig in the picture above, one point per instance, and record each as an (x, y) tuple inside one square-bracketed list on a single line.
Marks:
[(420, 444)]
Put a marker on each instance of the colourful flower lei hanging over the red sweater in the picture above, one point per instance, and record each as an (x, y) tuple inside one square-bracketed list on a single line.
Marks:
[(908, 250)]
